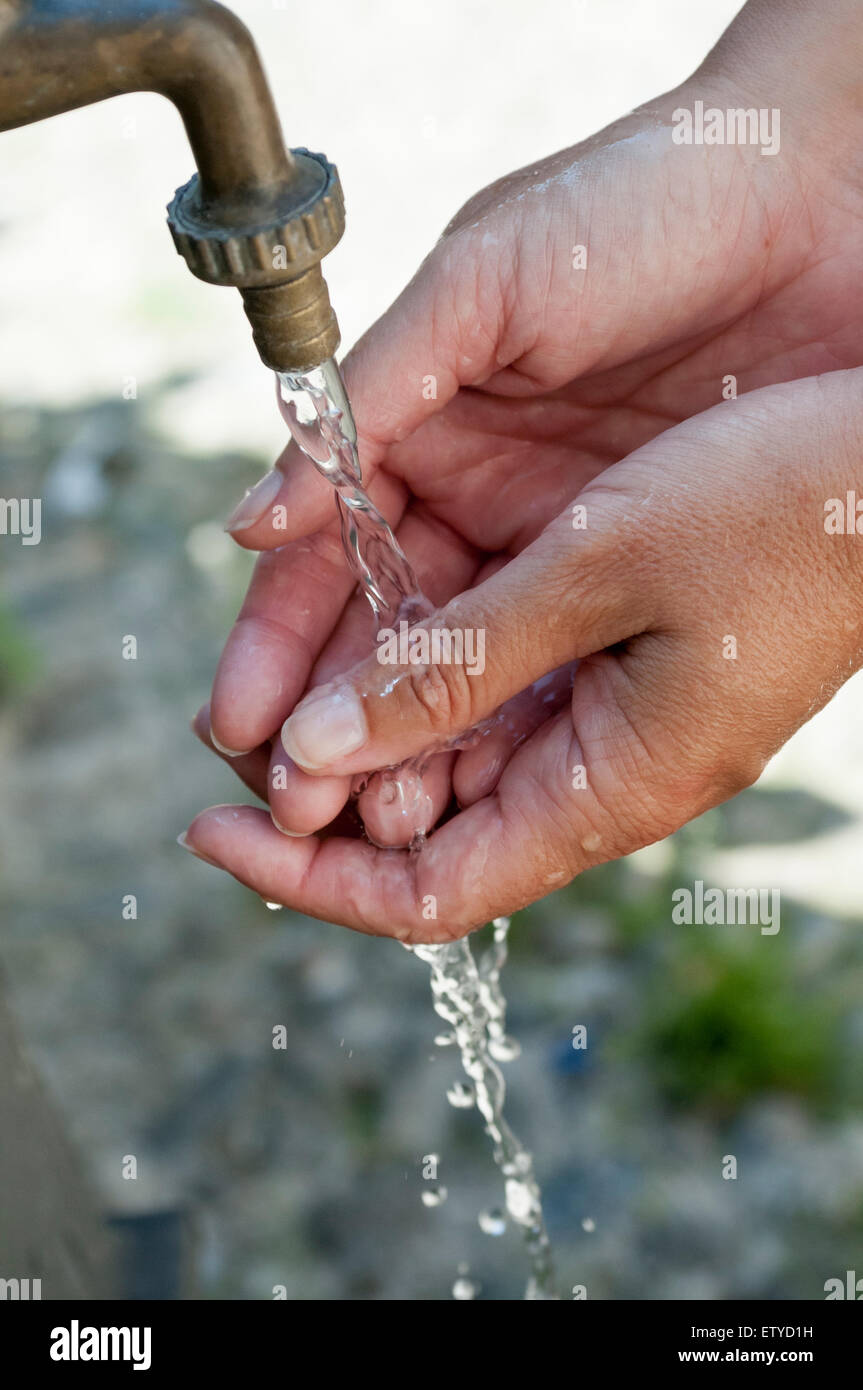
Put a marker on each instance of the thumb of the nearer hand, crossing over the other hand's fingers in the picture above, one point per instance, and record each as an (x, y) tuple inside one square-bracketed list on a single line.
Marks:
[(565, 597)]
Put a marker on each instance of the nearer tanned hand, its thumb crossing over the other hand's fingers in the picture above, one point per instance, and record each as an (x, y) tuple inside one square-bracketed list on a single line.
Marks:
[(712, 614)]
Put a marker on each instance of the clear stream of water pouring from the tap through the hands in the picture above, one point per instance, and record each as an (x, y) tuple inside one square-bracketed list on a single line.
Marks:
[(466, 990)]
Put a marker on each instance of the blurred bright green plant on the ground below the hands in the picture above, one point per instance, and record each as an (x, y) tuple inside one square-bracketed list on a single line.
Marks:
[(726, 1014)]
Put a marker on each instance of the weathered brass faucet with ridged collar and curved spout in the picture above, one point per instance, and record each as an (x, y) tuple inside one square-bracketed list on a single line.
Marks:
[(256, 215)]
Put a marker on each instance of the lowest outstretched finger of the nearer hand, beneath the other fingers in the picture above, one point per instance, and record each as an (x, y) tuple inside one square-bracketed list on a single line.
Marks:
[(498, 856)]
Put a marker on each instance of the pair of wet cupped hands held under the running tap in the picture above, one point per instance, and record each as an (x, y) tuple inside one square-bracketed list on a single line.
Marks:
[(561, 452)]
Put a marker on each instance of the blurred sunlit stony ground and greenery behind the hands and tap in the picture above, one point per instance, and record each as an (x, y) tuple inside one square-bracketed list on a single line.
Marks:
[(304, 1168)]
